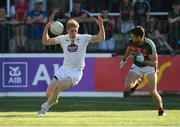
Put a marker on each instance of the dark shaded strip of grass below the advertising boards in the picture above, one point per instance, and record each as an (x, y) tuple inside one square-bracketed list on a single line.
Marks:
[(88, 104)]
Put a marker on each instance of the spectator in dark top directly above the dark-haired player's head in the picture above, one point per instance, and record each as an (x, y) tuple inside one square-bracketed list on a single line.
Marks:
[(141, 12)]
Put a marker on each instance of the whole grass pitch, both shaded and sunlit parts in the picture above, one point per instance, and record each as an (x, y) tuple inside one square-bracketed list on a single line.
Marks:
[(90, 112)]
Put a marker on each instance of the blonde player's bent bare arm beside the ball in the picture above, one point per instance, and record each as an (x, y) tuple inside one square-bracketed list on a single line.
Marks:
[(46, 40)]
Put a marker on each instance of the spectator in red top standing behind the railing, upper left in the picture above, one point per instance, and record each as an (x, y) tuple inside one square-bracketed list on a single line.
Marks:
[(21, 9)]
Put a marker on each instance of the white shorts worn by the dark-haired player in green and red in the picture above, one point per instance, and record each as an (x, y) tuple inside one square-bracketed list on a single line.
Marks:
[(142, 70)]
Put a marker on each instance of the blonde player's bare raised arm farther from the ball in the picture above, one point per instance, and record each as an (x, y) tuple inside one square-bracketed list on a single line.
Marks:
[(101, 35)]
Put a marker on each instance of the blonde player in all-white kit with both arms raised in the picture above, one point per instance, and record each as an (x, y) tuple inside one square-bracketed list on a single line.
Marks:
[(74, 48)]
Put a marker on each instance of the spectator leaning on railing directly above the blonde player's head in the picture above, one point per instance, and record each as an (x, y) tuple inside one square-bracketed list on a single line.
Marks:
[(79, 15)]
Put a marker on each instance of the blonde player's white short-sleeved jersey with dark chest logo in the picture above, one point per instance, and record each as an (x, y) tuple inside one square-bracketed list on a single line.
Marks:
[(74, 50)]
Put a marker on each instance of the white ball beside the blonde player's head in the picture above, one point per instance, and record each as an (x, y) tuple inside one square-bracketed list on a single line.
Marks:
[(57, 28)]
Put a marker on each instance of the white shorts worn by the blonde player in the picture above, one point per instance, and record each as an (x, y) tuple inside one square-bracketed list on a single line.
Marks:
[(64, 72)]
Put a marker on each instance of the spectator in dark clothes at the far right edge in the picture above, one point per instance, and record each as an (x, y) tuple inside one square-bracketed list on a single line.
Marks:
[(174, 20)]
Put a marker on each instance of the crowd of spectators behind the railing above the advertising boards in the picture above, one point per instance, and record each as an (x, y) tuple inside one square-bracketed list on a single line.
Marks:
[(22, 30)]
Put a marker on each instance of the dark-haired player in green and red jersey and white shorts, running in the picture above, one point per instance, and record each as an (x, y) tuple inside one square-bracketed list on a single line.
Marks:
[(145, 61)]
